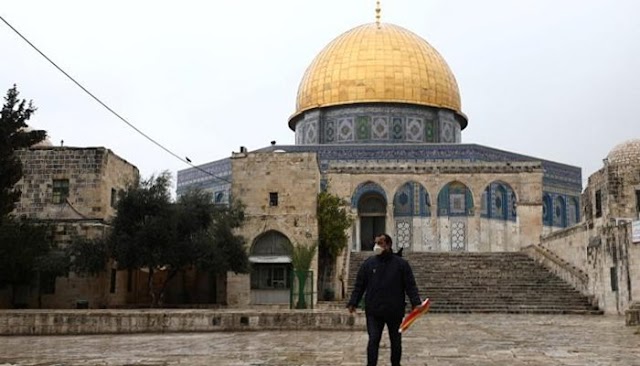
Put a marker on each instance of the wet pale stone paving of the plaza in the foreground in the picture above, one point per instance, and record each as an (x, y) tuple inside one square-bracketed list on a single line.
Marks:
[(436, 340)]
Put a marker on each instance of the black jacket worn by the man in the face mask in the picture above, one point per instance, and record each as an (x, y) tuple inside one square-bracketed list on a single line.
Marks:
[(384, 280)]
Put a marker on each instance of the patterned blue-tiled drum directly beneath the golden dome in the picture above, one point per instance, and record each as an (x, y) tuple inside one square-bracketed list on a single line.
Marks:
[(378, 124)]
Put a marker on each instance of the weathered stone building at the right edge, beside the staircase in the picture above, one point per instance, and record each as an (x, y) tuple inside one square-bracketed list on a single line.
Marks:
[(601, 246)]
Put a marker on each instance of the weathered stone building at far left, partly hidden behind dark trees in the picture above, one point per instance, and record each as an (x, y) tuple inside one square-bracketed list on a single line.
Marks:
[(75, 190)]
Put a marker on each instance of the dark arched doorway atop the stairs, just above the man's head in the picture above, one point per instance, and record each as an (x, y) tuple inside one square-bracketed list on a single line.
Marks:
[(372, 212)]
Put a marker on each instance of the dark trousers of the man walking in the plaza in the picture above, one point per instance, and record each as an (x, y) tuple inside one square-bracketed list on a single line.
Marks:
[(375, 324)]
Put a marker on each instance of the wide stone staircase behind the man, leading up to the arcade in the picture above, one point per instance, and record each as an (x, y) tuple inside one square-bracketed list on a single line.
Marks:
[(503, 282)]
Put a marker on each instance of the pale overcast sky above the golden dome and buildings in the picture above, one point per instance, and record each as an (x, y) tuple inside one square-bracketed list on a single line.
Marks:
[(558, 80)]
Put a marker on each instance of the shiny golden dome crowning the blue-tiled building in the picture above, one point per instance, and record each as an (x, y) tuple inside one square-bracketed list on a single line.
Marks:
[(378, 63)]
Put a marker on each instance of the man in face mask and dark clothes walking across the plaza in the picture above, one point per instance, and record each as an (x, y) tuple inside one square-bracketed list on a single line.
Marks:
[(384, 279)]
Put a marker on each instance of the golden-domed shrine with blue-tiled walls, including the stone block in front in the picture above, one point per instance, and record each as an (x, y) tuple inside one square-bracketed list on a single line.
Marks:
[(379, 122)]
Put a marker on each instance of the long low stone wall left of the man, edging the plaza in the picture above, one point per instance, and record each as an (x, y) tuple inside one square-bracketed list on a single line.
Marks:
[(172, 321)]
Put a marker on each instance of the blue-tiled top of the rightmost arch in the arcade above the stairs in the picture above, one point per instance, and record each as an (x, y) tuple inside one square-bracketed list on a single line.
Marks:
[(499, 201)]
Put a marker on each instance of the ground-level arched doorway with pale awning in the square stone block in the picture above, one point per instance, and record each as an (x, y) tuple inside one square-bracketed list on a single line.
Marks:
[(270, 269)]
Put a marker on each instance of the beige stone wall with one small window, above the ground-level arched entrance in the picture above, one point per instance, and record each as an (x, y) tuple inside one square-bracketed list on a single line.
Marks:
[(295, 178)]
